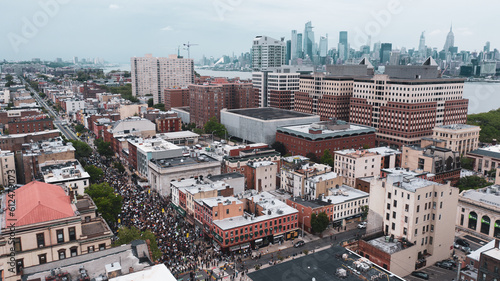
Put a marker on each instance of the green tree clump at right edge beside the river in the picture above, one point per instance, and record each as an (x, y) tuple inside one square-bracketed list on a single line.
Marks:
[(489, 123)]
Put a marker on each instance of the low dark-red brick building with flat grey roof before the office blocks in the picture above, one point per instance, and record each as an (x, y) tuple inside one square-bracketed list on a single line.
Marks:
[(332, 135)]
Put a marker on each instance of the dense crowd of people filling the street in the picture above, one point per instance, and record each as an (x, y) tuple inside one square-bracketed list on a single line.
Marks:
[(182, 245)]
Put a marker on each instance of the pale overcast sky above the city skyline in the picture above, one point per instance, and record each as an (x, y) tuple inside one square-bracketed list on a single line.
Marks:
[(120, 29)]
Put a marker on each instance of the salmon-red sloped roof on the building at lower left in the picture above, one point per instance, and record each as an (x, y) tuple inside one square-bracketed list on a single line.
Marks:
[(40, 202)]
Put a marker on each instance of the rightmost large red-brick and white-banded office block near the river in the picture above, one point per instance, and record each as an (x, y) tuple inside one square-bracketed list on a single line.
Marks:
[(406, 109)]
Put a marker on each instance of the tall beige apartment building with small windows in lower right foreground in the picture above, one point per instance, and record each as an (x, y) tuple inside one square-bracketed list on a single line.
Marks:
[(417, 217)]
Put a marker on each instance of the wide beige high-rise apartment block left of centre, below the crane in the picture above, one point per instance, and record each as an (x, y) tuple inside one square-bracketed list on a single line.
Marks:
[(152, 75)]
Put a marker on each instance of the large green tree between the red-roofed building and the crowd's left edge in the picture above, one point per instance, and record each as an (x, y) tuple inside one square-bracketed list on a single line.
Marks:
[(108, 203)]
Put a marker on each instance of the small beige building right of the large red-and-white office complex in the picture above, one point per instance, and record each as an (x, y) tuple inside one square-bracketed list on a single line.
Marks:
[(461, 138)]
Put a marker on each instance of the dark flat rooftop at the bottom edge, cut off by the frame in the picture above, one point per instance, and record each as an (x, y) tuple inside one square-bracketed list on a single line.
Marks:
[(323, 266)]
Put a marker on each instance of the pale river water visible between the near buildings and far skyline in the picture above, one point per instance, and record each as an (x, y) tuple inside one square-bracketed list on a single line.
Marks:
[(482, 96)]
